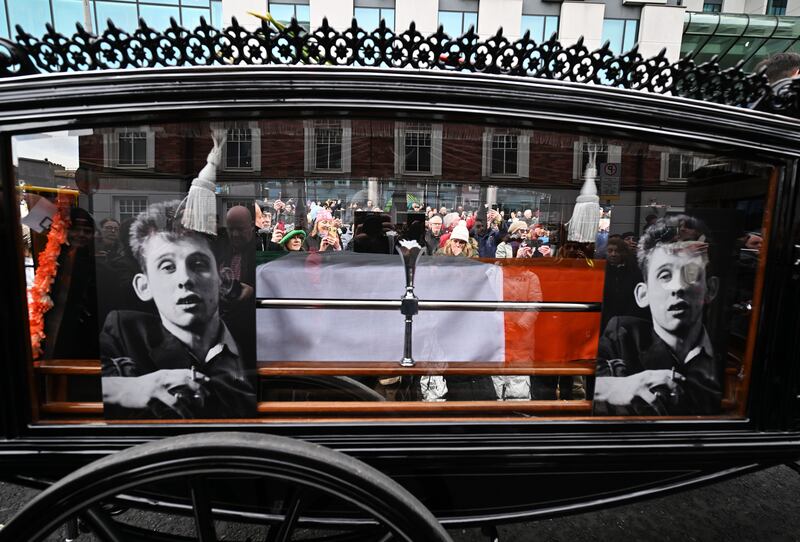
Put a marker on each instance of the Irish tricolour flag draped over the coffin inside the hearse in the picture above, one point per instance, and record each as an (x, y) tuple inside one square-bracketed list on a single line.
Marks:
[(509, 338)]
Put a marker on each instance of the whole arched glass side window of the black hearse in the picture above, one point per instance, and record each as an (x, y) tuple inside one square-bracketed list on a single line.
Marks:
[(354, 268)]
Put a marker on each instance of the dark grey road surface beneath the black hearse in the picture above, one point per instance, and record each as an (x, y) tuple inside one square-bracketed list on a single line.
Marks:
[(762, 506)]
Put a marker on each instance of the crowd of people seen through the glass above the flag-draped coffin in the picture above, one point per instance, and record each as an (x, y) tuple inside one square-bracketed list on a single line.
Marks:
[(366, 228)]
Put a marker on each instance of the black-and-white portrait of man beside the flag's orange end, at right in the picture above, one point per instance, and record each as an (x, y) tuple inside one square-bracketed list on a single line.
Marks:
[(667, 366)]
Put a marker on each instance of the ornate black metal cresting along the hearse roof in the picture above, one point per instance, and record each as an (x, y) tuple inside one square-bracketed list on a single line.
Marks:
[(206, 45)]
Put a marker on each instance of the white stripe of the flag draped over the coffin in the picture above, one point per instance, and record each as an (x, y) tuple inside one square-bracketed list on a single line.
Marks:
[(353, 335)]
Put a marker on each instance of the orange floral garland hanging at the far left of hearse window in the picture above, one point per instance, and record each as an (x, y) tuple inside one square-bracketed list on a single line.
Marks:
[(39, 301)]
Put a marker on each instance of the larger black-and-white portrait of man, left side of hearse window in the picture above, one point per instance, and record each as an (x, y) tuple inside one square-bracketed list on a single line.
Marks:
[(181, 362)]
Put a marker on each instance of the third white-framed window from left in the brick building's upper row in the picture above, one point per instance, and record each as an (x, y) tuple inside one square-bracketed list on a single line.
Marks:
[(327, 145)]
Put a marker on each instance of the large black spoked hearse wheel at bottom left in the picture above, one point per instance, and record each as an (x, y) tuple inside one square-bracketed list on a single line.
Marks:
[(275, 488)]
